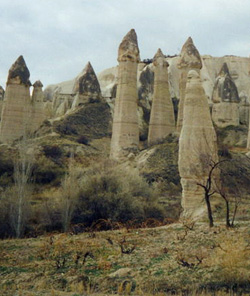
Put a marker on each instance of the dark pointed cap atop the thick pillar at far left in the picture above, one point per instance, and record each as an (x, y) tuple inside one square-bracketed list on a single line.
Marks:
[(19, 69)]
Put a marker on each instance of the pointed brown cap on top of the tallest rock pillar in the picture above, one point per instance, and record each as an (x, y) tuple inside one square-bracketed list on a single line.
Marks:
[(128, 49)]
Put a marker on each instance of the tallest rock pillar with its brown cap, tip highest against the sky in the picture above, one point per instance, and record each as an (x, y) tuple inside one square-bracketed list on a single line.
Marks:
[(125, 130)]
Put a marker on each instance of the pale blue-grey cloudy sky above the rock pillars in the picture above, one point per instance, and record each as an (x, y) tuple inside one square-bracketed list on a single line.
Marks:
[(58, 37)]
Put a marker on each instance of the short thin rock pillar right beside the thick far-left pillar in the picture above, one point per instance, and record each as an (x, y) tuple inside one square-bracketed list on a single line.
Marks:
[(38, 113)]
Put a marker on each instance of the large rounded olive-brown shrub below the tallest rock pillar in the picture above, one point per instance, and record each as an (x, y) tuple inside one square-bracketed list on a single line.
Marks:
[(116, 193)]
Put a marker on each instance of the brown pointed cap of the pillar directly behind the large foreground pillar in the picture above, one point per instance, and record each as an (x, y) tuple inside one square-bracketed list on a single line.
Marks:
[(190, 56)]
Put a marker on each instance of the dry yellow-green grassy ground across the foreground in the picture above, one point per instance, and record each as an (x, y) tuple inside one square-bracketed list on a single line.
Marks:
[(168, 259)]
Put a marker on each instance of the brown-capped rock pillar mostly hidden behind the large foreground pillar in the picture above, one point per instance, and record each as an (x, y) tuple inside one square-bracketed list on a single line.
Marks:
[(189, 60)]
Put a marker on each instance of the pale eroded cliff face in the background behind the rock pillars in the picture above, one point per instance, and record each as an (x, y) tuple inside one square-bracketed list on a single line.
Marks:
[(238, 67)]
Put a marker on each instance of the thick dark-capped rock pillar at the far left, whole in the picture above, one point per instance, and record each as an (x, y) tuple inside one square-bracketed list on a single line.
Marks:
[(16, 106)]
